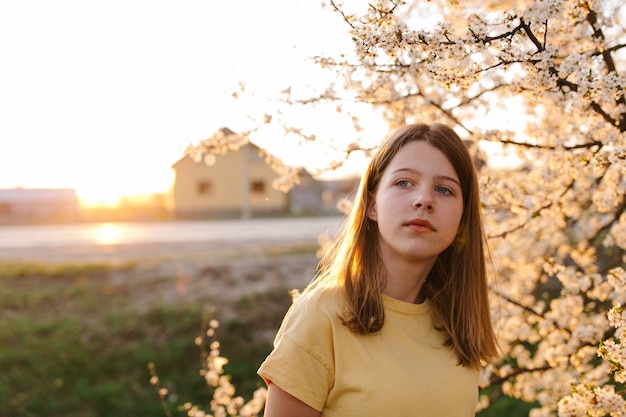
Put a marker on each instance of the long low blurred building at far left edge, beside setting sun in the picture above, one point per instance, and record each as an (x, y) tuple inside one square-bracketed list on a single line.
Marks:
[(26, 204)]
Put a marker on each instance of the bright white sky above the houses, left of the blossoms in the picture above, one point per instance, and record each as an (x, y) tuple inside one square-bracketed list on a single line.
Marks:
[(104, 96)]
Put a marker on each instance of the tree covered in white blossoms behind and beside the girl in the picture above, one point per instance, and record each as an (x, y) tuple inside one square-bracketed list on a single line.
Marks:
[(555, 217)]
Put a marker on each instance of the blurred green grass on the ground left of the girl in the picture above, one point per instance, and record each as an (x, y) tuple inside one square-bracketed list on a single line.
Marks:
[(73, 342)]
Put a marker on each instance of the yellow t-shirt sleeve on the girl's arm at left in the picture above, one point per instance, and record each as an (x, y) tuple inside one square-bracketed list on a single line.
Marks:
[(302, 360)]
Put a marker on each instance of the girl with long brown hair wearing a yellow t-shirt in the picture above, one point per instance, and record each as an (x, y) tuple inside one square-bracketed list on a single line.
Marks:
[(396, 321)]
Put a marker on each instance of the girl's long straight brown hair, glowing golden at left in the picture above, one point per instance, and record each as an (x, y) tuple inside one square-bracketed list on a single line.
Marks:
[(457, 283)]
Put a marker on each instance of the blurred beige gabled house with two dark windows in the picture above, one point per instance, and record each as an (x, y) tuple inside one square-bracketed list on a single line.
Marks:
[(237, 183)]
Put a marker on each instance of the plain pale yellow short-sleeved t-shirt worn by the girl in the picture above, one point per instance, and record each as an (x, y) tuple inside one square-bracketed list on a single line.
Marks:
[(404, 370)]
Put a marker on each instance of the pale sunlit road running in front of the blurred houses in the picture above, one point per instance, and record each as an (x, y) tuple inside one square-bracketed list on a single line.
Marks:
[(124, 240)]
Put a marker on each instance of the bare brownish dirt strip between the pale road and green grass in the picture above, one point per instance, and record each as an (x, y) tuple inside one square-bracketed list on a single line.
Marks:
[(220, 275)]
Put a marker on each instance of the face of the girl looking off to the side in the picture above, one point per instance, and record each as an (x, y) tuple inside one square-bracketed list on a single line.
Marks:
[(418, 204)]
